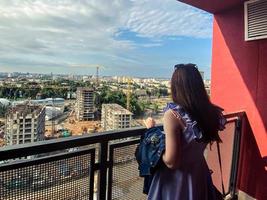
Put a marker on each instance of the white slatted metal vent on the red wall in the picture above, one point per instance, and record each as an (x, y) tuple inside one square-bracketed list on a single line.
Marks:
[(255, 19)]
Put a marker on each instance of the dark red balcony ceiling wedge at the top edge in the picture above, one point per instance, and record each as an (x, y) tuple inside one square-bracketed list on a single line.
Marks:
[(213, 6)]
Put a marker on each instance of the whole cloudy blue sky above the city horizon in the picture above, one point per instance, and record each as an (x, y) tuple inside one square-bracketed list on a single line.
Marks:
[(140, 38)]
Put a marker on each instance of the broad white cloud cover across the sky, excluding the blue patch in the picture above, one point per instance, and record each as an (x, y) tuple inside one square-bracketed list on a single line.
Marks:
[(68, 30)]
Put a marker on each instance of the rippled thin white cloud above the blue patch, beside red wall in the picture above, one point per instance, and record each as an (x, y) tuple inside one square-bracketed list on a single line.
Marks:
[(168, 18)]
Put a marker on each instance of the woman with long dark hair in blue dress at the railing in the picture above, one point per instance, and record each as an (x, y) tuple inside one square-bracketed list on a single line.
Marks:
[(190, 123)]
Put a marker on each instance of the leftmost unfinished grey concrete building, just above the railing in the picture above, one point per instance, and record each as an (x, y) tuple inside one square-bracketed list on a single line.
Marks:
[(25, 124)]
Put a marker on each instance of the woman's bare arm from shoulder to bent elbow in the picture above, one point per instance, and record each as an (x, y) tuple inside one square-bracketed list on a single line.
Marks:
[(173, 130)]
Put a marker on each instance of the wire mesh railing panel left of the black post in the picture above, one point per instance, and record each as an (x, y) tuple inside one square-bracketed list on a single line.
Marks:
[(56, 178)]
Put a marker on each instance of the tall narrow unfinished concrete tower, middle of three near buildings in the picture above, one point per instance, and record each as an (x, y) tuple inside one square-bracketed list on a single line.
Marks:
[(85, 104)]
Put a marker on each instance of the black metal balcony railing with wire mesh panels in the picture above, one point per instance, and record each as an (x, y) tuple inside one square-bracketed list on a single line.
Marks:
[(98, 166)]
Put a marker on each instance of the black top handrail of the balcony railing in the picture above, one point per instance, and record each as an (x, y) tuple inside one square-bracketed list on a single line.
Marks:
[(22, 150)]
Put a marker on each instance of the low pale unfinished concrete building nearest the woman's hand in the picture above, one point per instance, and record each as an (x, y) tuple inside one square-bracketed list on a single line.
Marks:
[(115, 117)]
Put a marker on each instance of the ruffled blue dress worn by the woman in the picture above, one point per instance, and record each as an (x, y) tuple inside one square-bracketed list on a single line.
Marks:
[(192, 180)]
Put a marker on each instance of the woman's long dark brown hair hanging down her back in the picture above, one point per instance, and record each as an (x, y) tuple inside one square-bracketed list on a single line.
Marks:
[(188, 91)]
